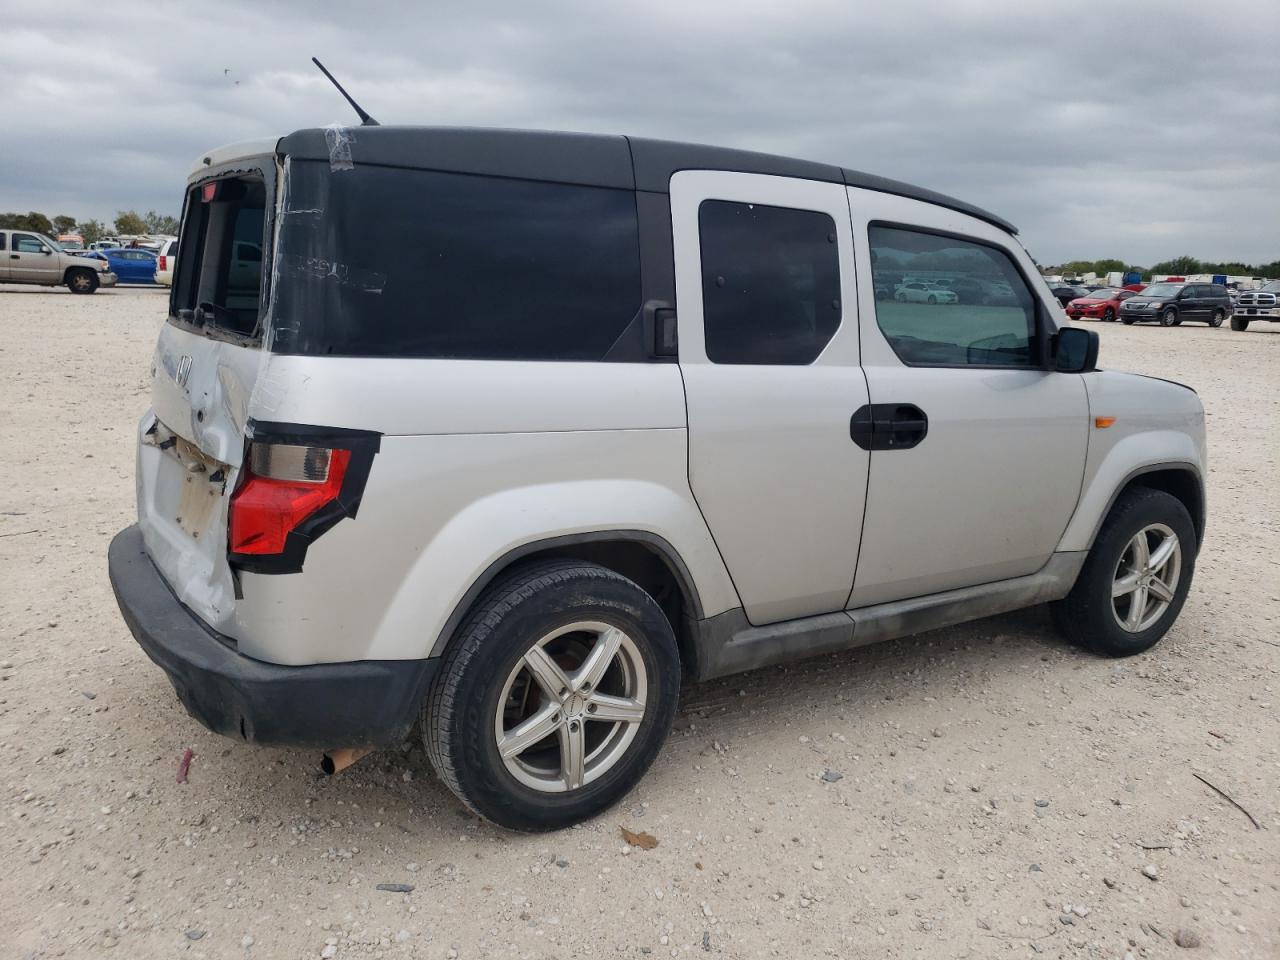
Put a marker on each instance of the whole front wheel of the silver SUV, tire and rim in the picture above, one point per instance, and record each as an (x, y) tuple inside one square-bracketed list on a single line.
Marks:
[(1136, 578)]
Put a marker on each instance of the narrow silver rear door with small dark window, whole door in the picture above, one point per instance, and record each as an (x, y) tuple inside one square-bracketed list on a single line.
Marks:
[(769, 351)]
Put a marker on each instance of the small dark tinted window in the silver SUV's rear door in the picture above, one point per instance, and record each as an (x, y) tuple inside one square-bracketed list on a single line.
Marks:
[(771, 284)]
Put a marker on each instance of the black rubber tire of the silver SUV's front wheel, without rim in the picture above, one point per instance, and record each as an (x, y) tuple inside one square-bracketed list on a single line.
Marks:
[(1094, 588)]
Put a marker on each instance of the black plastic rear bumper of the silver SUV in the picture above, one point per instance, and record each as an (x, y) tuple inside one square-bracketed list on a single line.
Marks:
[(363, 703)]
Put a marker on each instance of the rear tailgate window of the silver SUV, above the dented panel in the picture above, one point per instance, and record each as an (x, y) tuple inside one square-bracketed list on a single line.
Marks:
[(221, 287)]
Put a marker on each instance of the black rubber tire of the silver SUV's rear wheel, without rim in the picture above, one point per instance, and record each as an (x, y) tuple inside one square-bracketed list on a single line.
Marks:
[(483, 776)]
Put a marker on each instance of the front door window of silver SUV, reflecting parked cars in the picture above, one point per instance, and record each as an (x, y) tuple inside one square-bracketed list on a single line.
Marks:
[(990, 322)]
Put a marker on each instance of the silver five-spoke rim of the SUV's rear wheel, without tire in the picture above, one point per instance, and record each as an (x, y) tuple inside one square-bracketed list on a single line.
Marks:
[(572, 707)]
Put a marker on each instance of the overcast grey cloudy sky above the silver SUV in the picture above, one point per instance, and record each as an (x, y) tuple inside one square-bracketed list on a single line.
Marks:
[(1140, 131)]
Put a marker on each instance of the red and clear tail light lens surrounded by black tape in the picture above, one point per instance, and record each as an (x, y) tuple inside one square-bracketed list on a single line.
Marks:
[(284, 486)]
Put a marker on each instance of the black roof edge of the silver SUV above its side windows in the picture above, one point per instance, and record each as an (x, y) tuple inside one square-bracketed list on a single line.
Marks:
[(591, 159)]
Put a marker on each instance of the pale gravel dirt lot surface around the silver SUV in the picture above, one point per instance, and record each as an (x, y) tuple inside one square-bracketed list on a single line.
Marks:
[(989, 790)]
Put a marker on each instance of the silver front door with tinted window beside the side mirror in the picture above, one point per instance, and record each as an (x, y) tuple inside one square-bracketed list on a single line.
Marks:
[(979, 463)]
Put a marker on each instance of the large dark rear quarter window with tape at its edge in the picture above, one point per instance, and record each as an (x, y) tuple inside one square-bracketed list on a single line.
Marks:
[(386, 262)]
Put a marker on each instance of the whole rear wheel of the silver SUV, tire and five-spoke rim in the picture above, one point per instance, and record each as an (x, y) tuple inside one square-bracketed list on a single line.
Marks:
[(555, 697)]
